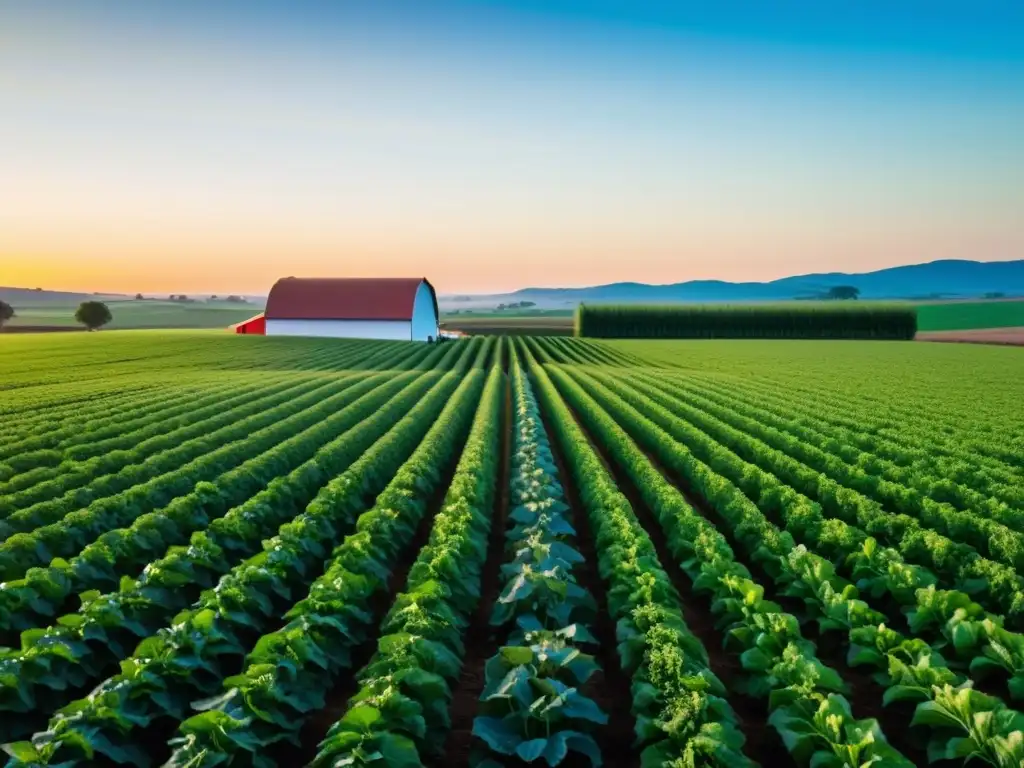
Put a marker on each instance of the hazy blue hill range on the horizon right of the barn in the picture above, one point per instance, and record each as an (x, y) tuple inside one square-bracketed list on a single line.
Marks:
[(949, 279)]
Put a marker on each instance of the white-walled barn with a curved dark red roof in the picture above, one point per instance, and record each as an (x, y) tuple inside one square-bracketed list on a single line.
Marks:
[(398, 309)]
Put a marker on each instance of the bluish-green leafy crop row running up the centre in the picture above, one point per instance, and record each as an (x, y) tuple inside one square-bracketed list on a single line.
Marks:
[(533, 706)]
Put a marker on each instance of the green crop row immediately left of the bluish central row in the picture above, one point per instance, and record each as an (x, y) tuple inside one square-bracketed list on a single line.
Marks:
[(400, 713)]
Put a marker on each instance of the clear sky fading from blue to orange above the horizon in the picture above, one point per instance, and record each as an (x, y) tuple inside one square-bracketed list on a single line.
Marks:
[(193, 147)]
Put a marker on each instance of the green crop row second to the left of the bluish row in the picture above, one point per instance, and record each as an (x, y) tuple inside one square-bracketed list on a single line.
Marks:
[(290, 672)]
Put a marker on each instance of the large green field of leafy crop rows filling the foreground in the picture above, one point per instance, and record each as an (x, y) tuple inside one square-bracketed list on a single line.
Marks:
[(224, 550)]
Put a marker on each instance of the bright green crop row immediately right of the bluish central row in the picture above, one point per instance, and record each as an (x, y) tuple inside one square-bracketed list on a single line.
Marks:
[(679, 704)]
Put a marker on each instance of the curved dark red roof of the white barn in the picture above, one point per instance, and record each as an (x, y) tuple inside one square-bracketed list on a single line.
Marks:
[(346, 298)]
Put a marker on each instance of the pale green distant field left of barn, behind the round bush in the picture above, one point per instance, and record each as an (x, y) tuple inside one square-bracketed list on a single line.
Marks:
[(130, 314)]
